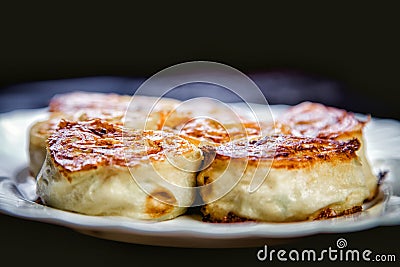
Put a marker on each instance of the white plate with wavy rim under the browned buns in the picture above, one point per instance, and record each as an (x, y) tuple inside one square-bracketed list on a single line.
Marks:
[(17, 189)]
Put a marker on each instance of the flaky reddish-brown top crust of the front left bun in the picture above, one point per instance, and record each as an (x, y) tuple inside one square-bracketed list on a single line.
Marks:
[(87, 145)]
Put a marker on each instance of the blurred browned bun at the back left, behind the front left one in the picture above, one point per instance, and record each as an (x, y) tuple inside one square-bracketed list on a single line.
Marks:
[(146, 113)]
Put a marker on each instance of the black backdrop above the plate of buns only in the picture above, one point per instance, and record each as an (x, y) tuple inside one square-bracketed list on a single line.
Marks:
[(355, 46)]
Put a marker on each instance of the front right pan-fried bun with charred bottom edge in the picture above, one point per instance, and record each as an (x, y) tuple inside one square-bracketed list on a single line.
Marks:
[(308, 178)]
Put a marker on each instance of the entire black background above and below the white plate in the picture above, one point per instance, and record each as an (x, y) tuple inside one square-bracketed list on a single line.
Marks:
[(346, 56)]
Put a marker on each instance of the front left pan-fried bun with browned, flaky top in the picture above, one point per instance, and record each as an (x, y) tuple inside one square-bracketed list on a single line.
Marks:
[(89, 165)]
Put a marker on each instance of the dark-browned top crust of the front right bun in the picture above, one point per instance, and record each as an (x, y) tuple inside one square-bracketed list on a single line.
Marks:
[(290, 151)]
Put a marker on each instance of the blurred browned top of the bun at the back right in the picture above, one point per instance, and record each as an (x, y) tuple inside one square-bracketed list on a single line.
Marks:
[(317, 120)]
